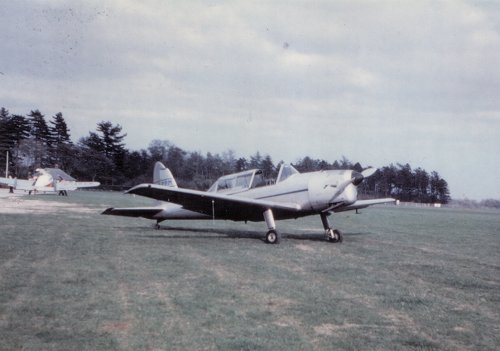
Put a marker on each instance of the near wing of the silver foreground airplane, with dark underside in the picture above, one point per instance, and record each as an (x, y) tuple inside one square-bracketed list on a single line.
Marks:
[(219, 206)]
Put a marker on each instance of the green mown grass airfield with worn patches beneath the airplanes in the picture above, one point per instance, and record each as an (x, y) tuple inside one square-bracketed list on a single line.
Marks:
[(404, 279)]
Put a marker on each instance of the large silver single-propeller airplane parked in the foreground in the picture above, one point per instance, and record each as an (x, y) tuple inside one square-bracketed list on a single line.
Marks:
[(246, 196)]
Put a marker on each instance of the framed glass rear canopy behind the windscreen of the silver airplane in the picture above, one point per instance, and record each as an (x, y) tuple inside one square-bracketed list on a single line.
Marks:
[(237, 182)]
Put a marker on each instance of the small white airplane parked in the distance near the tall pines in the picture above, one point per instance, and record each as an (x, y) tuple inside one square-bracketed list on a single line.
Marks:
[(47, 180)]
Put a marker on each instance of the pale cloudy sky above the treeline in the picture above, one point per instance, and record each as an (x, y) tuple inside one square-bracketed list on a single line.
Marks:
[(378, 82)]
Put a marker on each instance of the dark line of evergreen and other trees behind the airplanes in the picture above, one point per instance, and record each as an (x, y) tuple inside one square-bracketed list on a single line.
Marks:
[(35, 142)]
